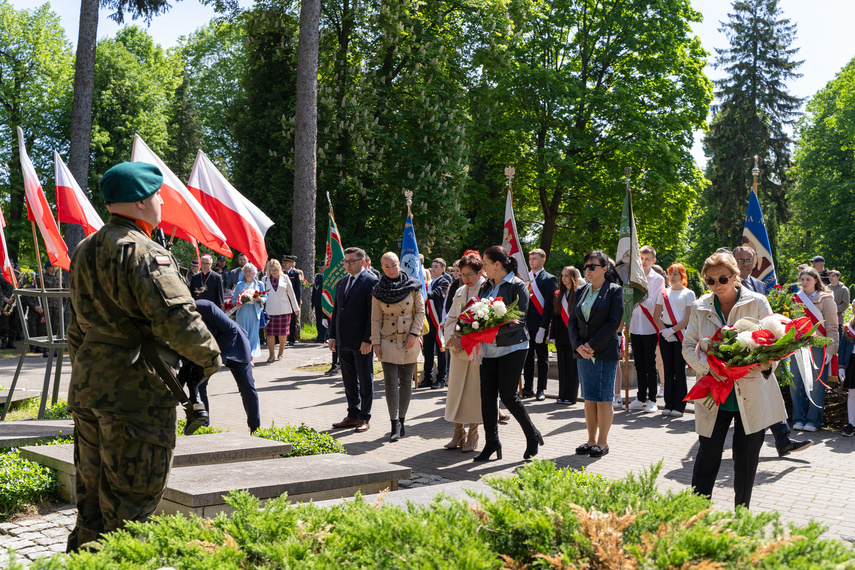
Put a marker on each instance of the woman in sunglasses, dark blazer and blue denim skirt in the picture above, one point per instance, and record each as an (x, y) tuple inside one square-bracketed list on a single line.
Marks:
[(593, 325)]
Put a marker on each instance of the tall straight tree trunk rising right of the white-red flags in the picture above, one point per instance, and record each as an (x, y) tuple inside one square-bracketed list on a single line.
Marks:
[(305, 144)]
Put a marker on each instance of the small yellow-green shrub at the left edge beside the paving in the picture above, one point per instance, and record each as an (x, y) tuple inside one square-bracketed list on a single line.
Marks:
[(22, 483)]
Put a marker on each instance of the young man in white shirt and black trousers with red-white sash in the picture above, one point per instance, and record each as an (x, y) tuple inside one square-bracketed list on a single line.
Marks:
[(644, 336)]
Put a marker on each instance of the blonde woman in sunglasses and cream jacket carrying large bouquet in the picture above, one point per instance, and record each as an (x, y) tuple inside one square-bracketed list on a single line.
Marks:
[(755, 402)]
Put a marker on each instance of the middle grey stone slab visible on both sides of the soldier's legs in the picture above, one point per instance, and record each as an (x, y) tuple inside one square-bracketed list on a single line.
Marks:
[(206, 449)]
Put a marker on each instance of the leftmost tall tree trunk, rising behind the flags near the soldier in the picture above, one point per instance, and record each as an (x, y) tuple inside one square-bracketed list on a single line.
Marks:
[(81, 111)]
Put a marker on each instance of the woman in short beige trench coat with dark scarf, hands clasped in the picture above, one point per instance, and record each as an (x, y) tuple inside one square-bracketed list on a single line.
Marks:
[(397, 313)]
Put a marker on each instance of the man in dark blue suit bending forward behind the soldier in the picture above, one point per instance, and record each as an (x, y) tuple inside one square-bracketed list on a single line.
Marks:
[(236, 353)]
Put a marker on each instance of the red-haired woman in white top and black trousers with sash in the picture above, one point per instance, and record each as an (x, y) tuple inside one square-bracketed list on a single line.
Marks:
[(673, 307)]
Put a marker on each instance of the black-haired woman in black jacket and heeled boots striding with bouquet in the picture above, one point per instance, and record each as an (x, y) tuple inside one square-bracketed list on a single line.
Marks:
[(503, 360)]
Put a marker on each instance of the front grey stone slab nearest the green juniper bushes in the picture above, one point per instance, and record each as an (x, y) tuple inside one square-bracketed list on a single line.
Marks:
[(200, 489)]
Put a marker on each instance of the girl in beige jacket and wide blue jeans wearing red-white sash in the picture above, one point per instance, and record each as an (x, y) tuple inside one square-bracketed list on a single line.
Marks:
[(818, 302)]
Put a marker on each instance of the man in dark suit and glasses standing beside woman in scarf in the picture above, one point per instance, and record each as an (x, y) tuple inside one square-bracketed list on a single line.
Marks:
[(350, 337)]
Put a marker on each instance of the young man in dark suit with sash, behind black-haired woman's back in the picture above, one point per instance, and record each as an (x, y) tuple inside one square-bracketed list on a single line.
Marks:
[(542, 287)]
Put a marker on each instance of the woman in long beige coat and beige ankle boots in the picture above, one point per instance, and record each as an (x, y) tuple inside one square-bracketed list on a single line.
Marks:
[(463, 402)]
